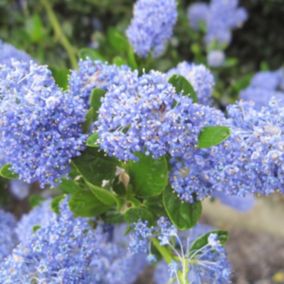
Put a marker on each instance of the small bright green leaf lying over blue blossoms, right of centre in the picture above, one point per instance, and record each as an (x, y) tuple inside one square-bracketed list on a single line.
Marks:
[(213, 135)]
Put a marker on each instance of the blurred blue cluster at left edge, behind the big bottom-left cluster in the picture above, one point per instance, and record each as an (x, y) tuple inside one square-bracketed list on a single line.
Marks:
[(7, 233)]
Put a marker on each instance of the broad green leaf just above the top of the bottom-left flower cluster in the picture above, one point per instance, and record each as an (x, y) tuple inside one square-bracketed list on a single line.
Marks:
[(85, 204)]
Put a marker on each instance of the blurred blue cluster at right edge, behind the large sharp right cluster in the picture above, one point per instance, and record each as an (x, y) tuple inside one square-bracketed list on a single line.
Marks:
[(263, 86)]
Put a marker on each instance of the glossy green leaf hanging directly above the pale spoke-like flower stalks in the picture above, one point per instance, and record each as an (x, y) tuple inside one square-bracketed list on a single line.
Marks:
[(182, 214)]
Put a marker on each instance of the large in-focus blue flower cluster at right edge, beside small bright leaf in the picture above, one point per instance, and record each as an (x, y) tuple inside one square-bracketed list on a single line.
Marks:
[(251, 160)]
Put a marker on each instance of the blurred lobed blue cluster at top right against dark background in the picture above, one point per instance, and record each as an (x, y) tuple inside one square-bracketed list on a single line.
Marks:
[(220, 18)]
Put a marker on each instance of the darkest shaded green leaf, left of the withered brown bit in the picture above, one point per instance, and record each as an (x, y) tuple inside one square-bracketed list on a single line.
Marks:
[(95, 166)]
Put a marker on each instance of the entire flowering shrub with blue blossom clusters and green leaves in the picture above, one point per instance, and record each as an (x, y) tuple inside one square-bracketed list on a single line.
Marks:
[(124, 148)]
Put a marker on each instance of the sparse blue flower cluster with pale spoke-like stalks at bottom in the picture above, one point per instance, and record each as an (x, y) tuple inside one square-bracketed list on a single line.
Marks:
[(208, 264)]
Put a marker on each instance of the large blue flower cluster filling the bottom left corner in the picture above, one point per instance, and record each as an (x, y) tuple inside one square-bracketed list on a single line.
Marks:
[(64, 249)]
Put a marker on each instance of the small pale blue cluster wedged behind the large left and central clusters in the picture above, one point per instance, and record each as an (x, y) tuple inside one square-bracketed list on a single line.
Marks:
[(93, 74)]
